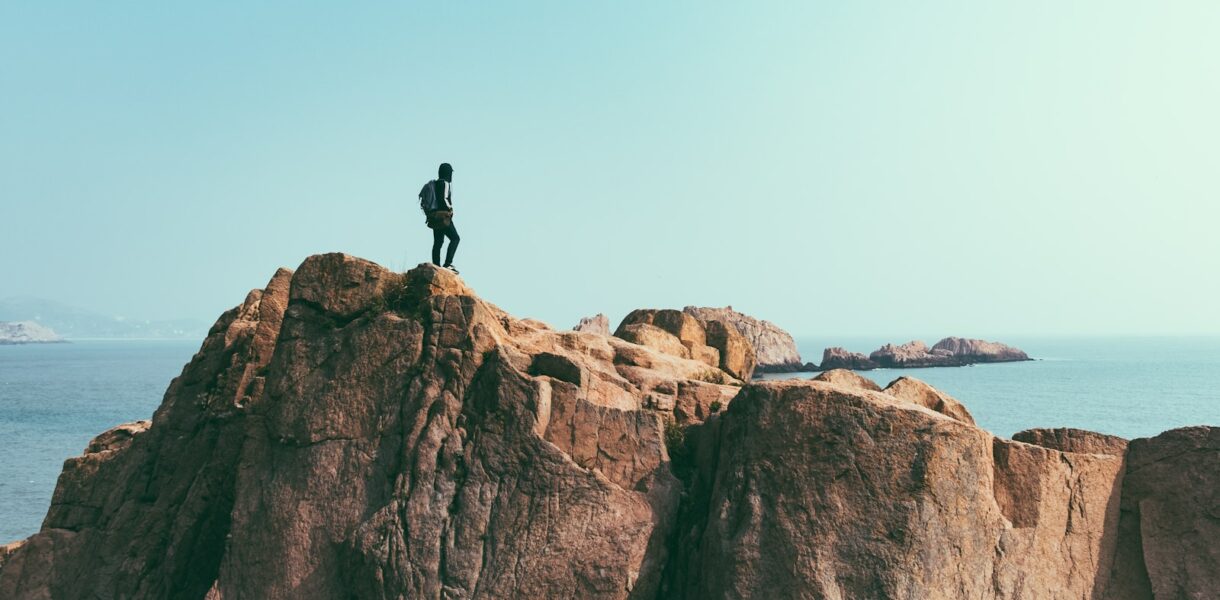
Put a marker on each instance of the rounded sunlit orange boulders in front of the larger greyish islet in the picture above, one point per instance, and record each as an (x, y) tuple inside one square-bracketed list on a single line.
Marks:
[(678, 334)]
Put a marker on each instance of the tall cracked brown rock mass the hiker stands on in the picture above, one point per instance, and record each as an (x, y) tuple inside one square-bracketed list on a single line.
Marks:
[(376, 436)]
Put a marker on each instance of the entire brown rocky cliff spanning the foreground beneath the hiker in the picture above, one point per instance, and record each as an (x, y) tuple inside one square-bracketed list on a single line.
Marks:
[(350, 432)]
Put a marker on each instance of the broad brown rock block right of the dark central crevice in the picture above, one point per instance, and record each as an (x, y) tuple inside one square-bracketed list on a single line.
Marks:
[(820, 491)]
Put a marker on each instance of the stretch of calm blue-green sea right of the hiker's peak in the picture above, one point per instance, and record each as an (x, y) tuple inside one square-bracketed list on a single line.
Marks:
[(1129, 387)]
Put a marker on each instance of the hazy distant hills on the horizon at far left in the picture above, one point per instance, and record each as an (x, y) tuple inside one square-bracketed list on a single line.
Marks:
[(74, 323)]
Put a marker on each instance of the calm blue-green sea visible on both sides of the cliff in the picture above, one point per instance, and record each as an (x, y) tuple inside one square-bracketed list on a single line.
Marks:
[(56, 398)]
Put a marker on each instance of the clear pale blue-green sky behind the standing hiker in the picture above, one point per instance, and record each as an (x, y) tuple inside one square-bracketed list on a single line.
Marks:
[(972, 169)]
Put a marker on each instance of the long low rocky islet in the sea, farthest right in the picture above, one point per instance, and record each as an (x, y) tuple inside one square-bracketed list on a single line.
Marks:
[(947, 353)]
